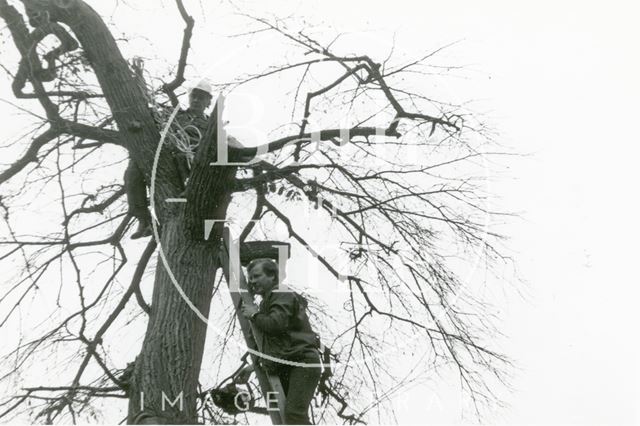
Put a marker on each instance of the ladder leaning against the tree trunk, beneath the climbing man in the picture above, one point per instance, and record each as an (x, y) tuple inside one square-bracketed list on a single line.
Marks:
[(231, 261)]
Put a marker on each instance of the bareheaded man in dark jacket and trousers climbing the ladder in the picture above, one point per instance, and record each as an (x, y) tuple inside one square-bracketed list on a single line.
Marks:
[(287, 335)]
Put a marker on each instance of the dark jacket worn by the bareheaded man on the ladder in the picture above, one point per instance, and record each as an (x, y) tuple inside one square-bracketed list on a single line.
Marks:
[(285, 327)]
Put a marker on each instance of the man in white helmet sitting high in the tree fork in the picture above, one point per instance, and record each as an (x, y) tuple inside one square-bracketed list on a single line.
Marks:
[(191, 123)]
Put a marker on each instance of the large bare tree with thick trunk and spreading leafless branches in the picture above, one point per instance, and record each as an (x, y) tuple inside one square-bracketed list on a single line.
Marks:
[(390, 177)]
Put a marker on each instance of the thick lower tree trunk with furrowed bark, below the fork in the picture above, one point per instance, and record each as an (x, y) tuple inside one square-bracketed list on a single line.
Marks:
[(166, 371)]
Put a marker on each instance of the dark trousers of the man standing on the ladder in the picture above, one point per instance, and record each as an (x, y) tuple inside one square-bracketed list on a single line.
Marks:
[(299, 384)]
